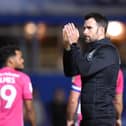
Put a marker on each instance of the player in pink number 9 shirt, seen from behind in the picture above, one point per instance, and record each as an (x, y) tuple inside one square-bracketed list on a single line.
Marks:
[(15, 88)]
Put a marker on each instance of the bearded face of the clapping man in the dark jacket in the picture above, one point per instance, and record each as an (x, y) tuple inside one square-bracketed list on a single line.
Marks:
[(91, 30)]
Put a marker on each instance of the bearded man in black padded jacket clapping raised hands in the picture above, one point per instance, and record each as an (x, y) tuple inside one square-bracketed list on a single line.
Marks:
[(98, 67)]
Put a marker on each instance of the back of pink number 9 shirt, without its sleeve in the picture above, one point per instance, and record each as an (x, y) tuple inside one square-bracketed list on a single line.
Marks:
[(11, 97)]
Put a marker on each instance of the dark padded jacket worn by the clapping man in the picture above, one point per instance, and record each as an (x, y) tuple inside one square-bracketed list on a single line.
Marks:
[(98, 68)]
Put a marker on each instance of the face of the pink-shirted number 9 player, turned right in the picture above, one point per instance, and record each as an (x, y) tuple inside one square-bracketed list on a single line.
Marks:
[(18, 60)]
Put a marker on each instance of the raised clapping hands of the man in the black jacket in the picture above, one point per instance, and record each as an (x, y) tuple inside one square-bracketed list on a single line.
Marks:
[(70, 33)]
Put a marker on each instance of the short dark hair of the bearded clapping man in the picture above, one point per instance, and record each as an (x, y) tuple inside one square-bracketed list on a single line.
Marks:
[(100, 19)]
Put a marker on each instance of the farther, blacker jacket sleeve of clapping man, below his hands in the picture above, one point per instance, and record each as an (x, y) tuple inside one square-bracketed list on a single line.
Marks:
[(69, 66)]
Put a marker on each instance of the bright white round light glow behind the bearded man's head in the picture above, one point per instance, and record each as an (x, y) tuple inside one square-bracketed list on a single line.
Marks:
[(115, 28)]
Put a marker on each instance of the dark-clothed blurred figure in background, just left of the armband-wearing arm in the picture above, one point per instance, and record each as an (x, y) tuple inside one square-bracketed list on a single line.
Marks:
[(58, 108)]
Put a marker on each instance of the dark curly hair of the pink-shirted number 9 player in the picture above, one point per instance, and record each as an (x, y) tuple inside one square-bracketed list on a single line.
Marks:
[(6, 52)]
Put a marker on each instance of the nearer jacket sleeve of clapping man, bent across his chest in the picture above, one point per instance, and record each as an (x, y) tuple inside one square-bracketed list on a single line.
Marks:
[(103, 57)]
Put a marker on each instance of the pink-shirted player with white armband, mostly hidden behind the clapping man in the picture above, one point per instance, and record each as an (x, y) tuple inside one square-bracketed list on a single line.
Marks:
[(73, 107)]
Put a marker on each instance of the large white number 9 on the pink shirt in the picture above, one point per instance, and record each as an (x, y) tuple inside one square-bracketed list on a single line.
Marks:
[(9, 98)]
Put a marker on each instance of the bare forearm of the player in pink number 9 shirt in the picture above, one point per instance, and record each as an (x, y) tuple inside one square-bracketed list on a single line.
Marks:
[(30, 112)]
